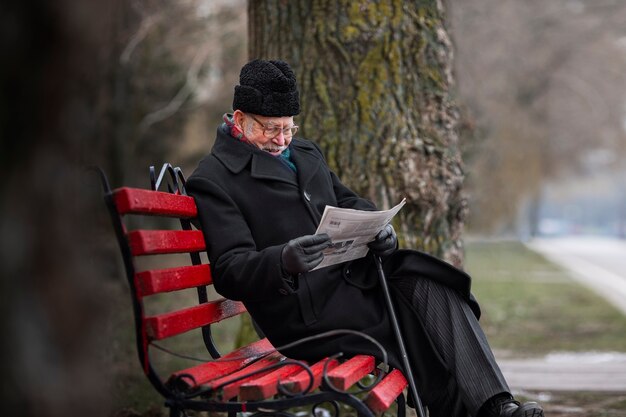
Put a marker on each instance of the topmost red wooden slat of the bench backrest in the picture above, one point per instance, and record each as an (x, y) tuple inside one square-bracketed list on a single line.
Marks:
[(138, 201)]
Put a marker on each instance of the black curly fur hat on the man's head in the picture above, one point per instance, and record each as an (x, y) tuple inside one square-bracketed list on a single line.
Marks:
[(267, 88)]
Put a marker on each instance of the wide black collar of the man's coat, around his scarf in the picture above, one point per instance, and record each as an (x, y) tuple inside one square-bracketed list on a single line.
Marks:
[(235, 156)]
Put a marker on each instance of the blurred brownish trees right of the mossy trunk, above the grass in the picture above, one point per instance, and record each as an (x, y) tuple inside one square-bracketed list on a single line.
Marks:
[(544, 84)]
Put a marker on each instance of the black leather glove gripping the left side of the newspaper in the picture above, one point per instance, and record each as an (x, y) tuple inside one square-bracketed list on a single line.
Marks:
[(304, 253)]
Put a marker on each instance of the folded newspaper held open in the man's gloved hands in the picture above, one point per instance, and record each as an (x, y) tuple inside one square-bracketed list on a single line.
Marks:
[(350, 231)]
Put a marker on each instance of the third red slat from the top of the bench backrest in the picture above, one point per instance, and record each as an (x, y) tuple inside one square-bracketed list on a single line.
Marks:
[(172, 279)]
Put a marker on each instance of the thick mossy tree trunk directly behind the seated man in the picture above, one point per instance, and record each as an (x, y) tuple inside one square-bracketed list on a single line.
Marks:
[(375, 80)]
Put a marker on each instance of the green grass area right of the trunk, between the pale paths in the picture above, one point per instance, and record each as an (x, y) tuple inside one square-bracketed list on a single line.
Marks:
[(532, 307)]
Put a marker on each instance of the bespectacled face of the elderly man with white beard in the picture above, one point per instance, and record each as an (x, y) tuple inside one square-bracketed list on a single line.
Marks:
[(271, 134)]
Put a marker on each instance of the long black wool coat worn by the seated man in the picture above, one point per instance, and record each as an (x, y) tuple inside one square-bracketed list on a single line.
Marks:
[(250, 204)]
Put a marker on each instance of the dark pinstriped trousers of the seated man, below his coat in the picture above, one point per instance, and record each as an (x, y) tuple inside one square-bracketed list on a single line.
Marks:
[(455, 368)]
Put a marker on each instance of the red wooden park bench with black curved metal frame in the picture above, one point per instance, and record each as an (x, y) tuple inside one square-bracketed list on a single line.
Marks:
[(255, 378)]
